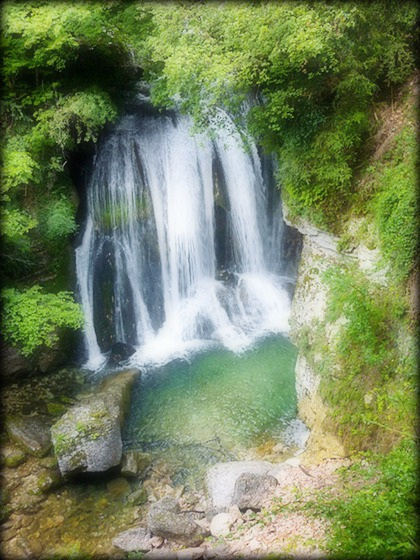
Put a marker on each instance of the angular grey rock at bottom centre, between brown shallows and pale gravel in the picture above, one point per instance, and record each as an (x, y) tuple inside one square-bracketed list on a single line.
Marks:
[(166, 520)]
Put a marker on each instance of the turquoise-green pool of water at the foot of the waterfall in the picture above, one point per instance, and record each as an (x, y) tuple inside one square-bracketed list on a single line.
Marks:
[(194, 413)]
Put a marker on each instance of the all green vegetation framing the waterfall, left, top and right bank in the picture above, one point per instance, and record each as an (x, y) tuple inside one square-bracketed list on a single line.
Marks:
[(313, 76)]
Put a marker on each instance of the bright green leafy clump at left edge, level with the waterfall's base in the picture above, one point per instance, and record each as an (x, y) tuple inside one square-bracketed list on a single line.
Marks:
[(31, 317)]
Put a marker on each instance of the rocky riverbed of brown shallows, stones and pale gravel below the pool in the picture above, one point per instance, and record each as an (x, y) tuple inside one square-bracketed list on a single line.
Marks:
[(136, 506)]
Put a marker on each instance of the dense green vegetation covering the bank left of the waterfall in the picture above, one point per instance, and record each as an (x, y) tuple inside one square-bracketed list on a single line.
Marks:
[(66, 69)]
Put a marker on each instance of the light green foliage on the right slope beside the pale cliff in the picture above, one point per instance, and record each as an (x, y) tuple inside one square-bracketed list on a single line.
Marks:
[(370, 358)]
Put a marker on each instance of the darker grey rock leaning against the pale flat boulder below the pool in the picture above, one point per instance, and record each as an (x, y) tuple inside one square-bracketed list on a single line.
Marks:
[(252, 489)]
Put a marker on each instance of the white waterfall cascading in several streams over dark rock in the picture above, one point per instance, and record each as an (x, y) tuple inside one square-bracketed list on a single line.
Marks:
[(181, 247)]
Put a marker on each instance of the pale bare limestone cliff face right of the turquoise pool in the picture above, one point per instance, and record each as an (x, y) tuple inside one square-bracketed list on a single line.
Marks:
[(319, 252)]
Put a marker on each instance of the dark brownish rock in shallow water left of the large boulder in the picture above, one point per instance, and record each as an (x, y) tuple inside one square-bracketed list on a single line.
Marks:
[(31, 433)]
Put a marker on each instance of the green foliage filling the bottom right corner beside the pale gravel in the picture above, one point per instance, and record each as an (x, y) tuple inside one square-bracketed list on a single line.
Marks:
[(375, 514)]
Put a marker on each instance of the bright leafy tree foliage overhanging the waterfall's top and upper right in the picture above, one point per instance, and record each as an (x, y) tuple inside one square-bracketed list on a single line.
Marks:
[(306, 62)]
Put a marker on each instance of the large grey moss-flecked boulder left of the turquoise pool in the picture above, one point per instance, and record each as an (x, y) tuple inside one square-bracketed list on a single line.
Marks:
[(87, 438)]
